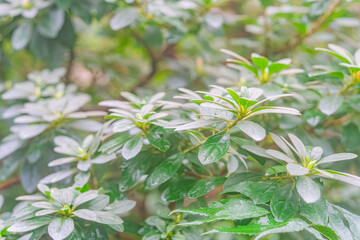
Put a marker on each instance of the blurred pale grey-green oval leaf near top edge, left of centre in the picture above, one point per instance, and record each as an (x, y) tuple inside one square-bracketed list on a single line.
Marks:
[(123, 18)]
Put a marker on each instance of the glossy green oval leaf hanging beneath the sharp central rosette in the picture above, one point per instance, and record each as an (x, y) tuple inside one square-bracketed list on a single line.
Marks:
[(214, 148)]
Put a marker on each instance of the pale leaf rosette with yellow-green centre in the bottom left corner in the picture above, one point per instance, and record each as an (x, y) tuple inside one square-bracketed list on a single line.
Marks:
[(65, 213)]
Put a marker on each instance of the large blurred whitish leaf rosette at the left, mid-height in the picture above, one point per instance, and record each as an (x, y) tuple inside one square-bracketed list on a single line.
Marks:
[(55, 113)]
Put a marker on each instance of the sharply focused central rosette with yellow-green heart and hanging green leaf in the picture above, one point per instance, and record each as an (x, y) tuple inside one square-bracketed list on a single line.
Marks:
[(225, 110)]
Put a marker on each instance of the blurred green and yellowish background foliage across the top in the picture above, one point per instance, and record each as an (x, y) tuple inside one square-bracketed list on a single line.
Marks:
[(112, 46)]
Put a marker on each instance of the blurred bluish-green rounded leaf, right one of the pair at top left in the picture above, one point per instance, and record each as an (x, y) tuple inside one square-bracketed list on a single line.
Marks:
[(49, 25)]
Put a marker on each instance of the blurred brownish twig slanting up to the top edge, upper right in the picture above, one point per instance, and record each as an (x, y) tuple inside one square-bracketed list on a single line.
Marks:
[(316, 26)]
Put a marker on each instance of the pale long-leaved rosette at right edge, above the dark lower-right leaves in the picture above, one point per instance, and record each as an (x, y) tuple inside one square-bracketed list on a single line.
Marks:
[(302, 164)]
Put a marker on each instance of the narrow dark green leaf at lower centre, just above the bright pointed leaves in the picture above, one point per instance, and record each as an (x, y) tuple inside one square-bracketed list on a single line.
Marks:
[(204, 186)]
